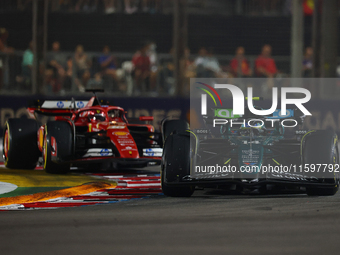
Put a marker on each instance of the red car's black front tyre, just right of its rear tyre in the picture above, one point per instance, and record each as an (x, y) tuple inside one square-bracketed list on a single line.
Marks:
[(62, 132)]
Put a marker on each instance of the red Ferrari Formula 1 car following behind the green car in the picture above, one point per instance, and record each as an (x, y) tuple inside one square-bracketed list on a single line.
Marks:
[(83, 133)]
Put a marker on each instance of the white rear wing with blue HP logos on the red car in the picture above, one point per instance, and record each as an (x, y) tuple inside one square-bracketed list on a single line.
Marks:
[(55, 107)]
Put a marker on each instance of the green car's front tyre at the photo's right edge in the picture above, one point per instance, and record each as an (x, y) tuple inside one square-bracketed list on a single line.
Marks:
[(321, 147)]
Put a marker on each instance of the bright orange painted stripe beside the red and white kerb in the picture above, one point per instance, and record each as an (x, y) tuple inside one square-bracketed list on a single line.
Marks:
[(43, 196)]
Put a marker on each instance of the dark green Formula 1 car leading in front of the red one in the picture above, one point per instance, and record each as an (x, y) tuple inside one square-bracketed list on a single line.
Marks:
[(254, 155)]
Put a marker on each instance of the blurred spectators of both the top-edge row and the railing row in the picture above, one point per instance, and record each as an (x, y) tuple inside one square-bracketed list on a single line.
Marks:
[(142, 71)]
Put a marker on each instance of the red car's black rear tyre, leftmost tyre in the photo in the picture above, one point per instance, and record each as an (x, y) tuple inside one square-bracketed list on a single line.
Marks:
[(20, 149)]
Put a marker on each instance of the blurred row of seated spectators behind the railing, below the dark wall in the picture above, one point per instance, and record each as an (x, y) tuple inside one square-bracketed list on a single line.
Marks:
[(143, 71)]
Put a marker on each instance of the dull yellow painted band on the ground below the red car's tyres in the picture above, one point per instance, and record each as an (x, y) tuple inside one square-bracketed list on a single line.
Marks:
[(36, 178)]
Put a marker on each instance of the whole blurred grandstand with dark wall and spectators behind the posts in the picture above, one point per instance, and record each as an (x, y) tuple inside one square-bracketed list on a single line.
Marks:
[(81, 34)]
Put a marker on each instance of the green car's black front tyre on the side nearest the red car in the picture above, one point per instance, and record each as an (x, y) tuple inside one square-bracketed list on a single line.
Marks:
[(177, 156)]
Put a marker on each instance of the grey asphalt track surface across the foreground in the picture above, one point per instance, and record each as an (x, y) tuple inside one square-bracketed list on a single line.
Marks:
[(210, 222)]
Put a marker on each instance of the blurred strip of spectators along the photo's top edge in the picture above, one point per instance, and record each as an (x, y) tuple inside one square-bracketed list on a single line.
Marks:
[(226, 7)]
